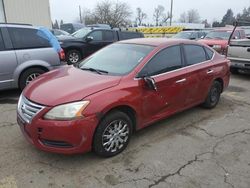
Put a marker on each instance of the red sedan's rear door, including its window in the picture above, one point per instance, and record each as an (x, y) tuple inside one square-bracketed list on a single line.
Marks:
[(200, 73)]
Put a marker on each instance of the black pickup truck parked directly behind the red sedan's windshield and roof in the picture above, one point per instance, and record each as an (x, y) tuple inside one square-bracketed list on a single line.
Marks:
[(88, 40)]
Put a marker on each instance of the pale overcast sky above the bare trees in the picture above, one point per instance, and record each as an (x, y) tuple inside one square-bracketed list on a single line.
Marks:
[(208, 9)]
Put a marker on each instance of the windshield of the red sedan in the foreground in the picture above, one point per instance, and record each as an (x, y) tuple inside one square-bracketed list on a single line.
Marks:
[(117, 59)]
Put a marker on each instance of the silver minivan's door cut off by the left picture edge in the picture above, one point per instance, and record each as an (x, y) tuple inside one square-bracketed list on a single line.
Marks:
[(8, 62)]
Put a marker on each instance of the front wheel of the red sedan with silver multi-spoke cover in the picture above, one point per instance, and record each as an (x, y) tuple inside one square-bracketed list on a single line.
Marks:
[(106, 133)]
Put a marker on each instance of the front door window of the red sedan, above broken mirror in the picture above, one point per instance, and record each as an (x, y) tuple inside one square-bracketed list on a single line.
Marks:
[(167, 60)]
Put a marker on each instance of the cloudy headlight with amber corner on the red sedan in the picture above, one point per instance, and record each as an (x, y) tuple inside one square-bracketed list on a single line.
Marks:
[(67, 111)]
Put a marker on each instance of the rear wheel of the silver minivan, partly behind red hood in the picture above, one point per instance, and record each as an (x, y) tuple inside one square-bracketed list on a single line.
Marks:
[(28, 76)]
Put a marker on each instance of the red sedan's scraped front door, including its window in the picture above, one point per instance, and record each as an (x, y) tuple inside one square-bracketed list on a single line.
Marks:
[(166, 69)]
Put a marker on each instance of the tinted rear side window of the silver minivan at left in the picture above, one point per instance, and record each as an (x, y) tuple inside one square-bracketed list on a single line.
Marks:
[(27, 38)]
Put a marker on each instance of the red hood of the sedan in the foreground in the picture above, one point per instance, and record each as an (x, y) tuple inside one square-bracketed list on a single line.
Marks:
[(67, 84)]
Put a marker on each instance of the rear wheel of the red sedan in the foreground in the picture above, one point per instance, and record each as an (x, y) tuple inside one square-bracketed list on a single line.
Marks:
[(213, 97)]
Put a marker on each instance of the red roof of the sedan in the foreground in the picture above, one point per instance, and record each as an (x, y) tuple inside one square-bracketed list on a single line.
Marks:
[(158, 41)]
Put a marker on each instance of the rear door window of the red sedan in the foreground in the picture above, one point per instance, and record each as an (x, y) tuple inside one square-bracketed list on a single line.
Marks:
[(194, 54)]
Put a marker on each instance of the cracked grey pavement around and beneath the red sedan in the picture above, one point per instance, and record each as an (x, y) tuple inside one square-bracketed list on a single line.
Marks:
[(196, 148)]
